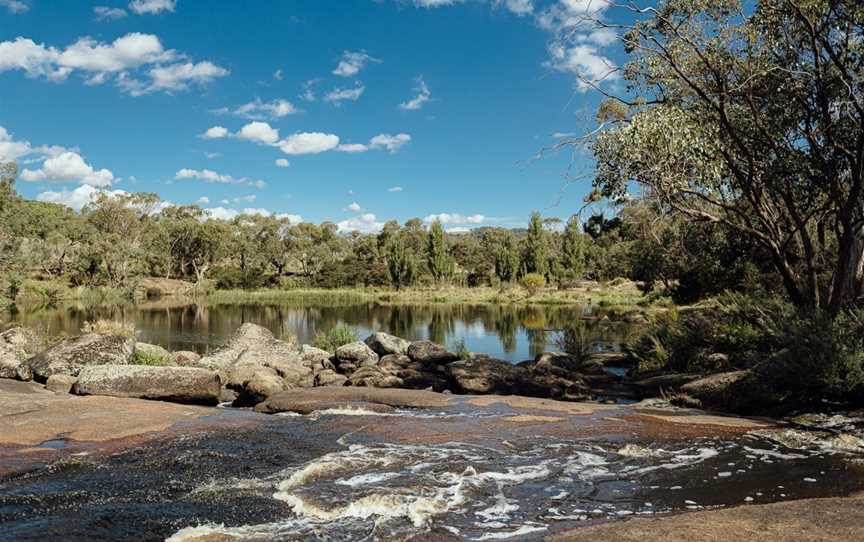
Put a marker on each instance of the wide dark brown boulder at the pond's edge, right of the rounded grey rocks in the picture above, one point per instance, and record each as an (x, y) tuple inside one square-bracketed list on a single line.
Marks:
[(486, 375)]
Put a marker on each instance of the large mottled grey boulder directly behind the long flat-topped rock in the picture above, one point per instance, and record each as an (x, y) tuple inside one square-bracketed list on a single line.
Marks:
[(70, 356)]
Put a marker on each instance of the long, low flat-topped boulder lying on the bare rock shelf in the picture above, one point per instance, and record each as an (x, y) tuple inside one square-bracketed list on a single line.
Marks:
[(174, 384)]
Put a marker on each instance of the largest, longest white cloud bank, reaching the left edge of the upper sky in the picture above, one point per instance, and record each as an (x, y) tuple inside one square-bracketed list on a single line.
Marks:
[(138, 63)]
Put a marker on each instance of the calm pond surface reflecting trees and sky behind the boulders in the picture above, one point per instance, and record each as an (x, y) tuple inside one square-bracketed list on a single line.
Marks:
[(506, 332)]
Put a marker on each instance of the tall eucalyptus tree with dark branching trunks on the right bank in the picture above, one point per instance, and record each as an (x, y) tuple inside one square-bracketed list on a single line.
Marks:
[(750, 116)]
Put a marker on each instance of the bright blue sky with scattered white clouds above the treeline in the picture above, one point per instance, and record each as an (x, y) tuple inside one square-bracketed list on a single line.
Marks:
[(391, 108)]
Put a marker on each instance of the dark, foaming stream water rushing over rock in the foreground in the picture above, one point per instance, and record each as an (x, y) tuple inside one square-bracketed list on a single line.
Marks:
[(470, 473)]
